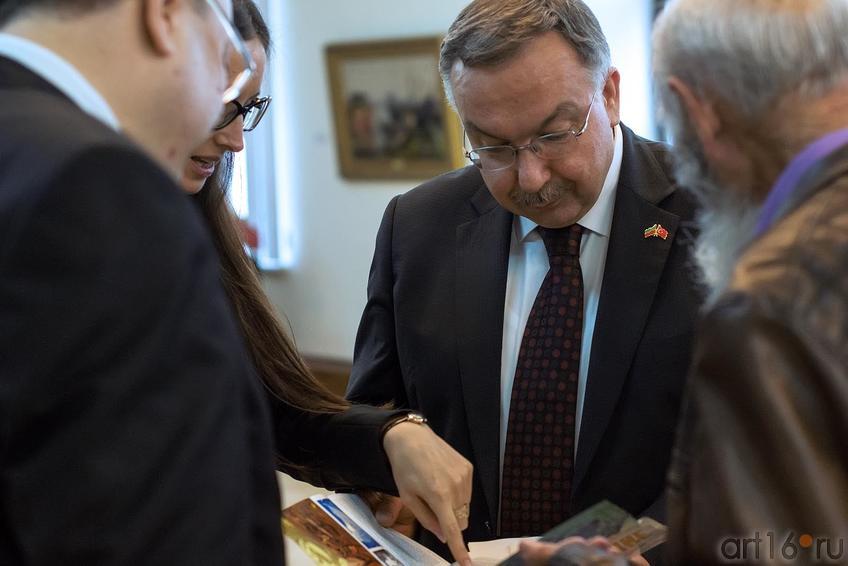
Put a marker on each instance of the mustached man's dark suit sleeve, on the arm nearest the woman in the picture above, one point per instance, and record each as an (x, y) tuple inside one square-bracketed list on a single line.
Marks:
[(377, 377)]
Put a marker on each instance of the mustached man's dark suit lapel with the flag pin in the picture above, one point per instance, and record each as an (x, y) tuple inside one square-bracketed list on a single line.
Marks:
[(634, 266)]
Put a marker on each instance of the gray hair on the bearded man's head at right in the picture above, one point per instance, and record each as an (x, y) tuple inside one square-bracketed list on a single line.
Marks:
[(749, 53)]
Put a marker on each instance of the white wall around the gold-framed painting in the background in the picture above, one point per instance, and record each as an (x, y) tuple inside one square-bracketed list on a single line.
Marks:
[(335, 220)]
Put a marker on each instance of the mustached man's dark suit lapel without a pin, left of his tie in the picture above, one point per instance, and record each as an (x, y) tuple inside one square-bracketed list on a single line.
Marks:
[(481, 269)]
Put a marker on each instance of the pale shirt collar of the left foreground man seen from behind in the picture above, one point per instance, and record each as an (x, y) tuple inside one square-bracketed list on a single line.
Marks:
[(59, 73)]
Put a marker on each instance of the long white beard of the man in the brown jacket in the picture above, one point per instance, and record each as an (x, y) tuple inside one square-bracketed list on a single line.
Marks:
[(726, 220)]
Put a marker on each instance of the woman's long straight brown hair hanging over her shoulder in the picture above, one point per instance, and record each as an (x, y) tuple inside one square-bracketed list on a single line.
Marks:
[(277, 361)]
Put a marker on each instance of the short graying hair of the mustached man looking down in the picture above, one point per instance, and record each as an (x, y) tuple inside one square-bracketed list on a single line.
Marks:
[(489, 32)]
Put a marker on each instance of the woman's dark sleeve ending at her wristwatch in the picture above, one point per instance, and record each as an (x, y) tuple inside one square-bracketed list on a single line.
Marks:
[(340, 451)]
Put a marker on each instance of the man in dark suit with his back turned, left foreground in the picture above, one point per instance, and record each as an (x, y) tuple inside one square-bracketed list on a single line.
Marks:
[(132, 430)]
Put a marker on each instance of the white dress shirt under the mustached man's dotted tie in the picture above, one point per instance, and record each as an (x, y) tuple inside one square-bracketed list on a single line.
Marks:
[(528, 265)]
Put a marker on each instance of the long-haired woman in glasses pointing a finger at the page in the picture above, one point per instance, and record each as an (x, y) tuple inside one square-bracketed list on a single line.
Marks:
[(320, 437)]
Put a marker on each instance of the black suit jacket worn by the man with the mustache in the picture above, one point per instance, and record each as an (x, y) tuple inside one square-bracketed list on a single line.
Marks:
[(431, 333)]
